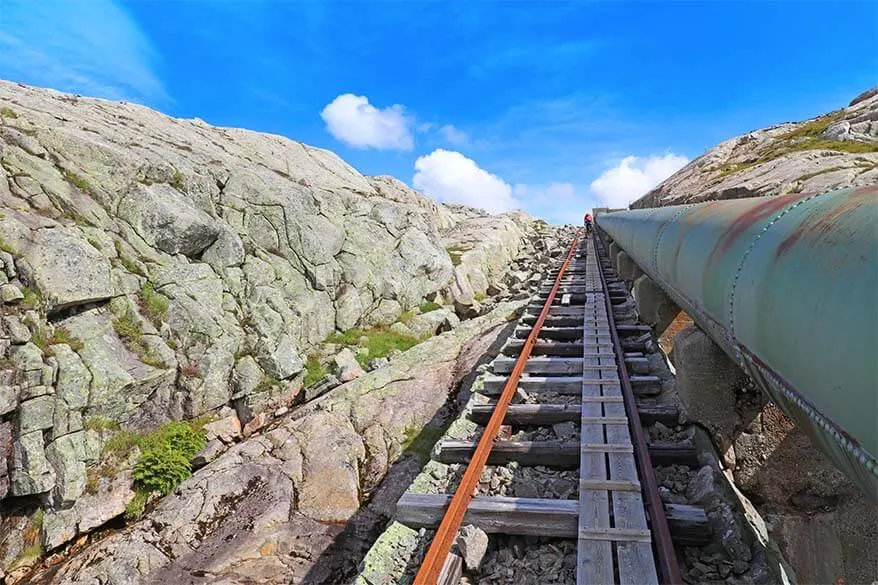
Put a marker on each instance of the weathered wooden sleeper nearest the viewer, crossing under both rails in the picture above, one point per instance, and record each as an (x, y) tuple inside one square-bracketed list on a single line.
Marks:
[(537, 516)]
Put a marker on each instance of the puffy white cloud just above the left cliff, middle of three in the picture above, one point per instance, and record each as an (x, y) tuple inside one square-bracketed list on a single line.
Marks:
[(453, 178)]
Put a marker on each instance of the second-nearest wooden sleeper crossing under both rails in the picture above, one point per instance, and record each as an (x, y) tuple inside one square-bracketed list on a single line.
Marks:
[(555, 454)]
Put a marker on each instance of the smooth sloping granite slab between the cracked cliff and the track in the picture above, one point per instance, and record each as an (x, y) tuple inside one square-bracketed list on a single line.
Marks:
[(272, 504)]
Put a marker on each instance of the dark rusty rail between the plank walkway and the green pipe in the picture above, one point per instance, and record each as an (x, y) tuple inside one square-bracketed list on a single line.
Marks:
[(669, 571)]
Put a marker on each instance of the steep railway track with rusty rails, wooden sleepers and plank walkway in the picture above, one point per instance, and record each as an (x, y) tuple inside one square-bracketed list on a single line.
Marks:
[(619, 521)]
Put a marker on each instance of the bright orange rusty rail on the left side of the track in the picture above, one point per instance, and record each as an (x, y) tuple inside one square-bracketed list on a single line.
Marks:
[(431, 567)]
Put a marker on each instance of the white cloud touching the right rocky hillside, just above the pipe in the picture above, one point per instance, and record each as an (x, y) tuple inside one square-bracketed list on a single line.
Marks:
[(634, 177)]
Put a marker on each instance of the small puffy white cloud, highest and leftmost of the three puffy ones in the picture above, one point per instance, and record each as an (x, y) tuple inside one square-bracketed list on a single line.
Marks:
[(356, 122)]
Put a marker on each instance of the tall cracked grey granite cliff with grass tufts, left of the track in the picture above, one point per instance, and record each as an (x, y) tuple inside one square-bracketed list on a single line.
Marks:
[(154, 269)]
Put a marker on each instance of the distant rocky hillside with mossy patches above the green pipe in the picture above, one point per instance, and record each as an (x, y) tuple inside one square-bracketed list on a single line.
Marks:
[(834, 151)]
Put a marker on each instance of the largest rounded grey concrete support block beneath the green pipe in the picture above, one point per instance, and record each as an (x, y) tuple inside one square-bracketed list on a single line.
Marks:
[(706, 384)]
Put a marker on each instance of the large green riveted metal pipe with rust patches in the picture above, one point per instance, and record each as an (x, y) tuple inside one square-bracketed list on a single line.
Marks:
[(788, 287)]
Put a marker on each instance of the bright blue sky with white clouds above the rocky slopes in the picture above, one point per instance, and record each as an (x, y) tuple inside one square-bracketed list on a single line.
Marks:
[(552, 106)]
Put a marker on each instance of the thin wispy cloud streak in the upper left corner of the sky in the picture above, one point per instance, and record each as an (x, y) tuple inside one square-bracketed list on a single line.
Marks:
[(94, 48)]
